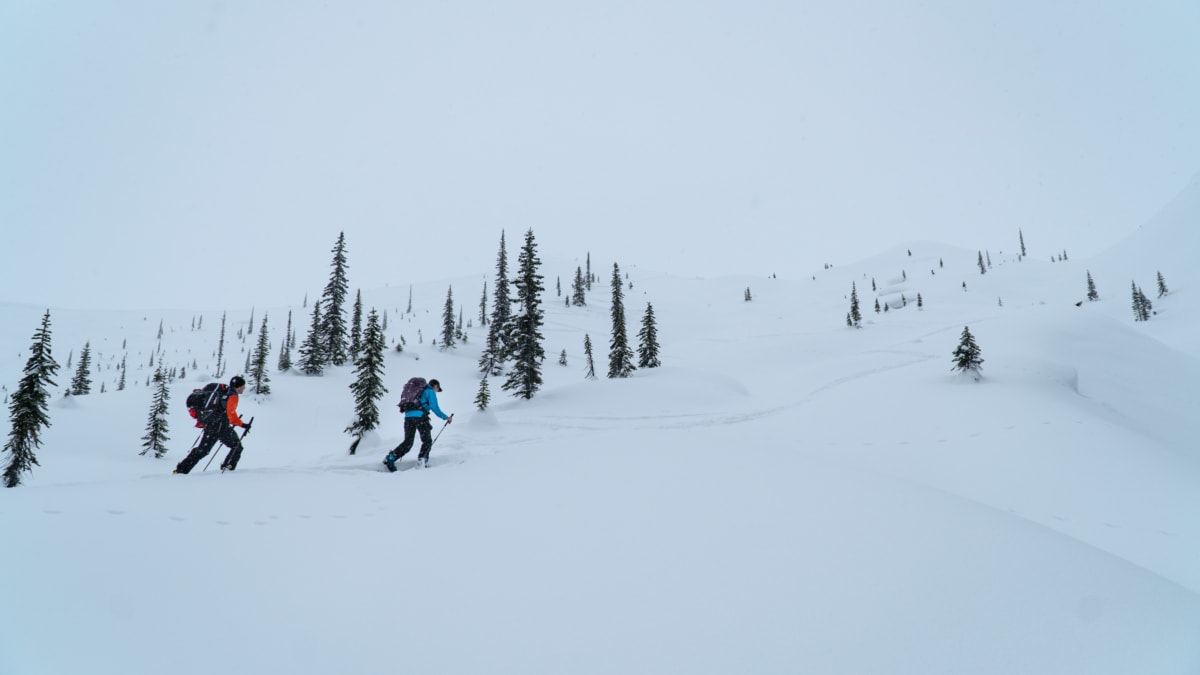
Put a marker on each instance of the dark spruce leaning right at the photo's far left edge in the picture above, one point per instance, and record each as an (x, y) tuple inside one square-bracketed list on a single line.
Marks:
[(28, 407)]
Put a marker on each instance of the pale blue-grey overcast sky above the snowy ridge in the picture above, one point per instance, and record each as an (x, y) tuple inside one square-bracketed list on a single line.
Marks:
[(163, 142)]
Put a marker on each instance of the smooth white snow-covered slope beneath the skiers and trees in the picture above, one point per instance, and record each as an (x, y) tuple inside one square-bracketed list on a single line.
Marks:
[(784, 495)]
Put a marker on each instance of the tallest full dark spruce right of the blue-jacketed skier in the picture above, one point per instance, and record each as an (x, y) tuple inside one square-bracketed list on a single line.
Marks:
[(526, 348)]
